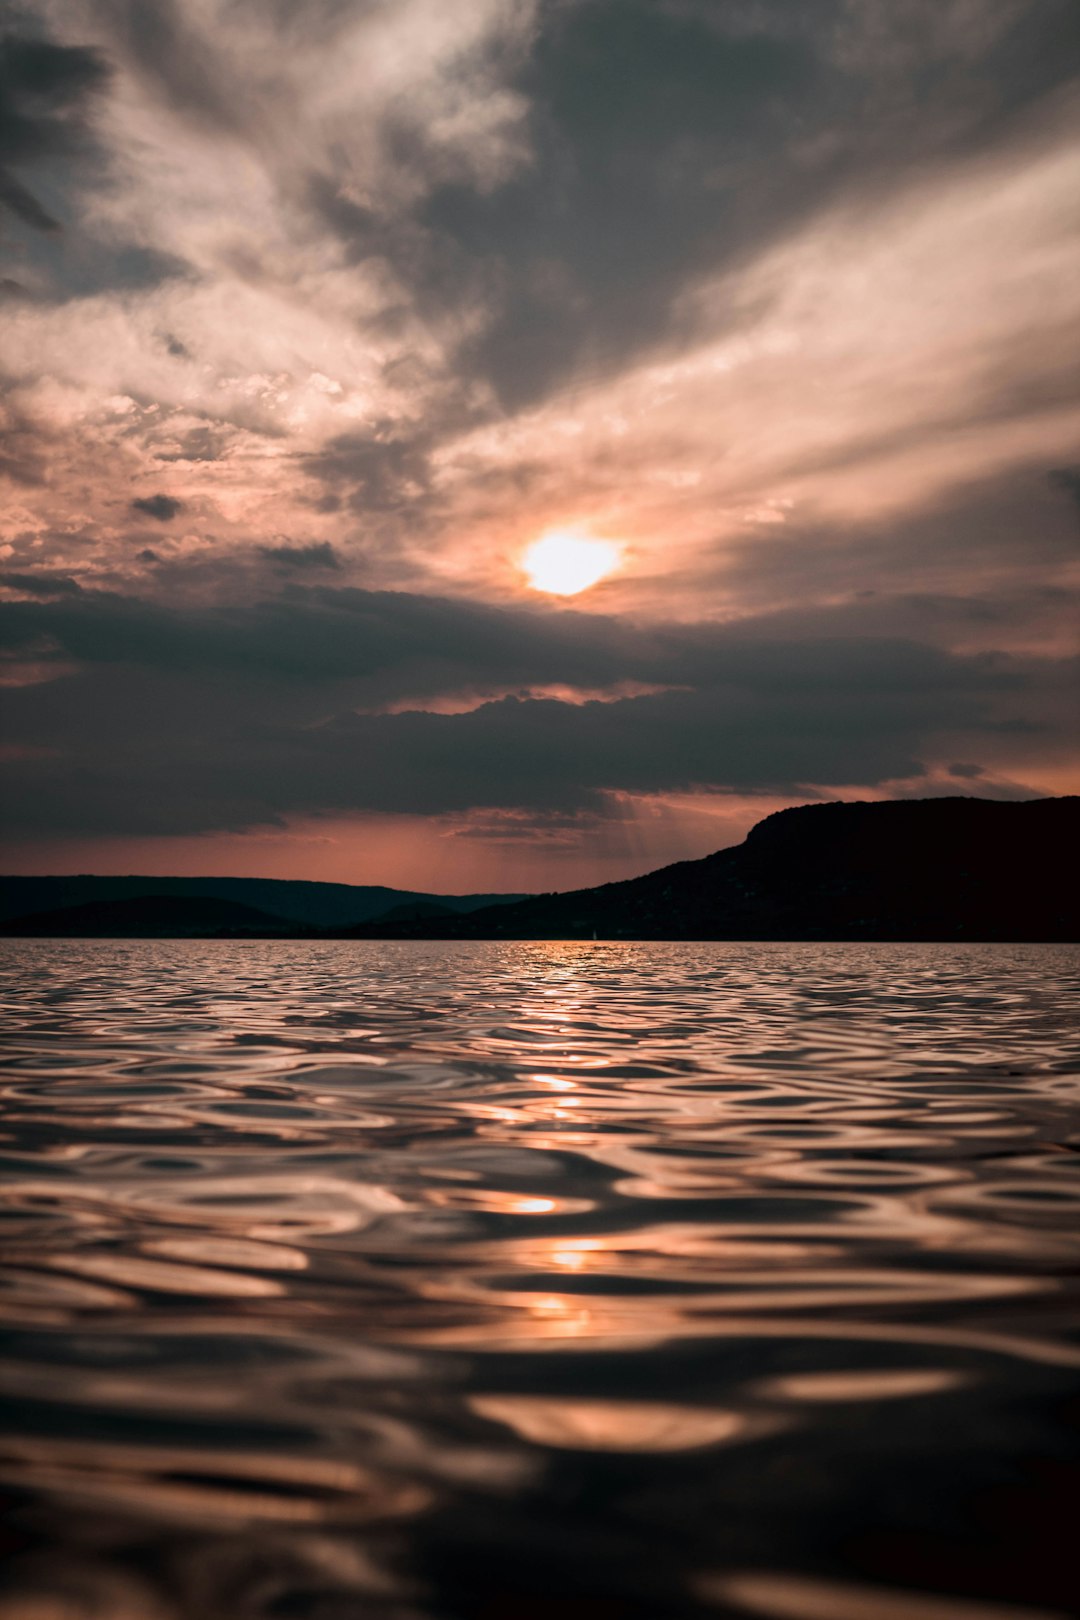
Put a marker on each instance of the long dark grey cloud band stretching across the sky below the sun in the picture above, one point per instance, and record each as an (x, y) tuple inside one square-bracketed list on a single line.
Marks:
[(249, 715)]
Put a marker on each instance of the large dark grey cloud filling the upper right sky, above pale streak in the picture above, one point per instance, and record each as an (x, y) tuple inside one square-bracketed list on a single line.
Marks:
[(679, 139)]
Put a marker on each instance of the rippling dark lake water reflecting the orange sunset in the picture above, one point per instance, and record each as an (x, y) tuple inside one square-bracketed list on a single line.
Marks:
[(511, 1282)]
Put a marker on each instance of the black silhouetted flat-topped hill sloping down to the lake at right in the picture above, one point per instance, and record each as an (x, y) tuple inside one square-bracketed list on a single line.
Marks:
[(932, 869)]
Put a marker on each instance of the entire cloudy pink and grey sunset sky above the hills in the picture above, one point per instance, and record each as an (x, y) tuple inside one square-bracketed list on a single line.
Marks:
[(512, 445)]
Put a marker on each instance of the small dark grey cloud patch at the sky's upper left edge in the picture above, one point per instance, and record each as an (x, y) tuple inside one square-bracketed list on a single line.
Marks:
[(46, 93)]
